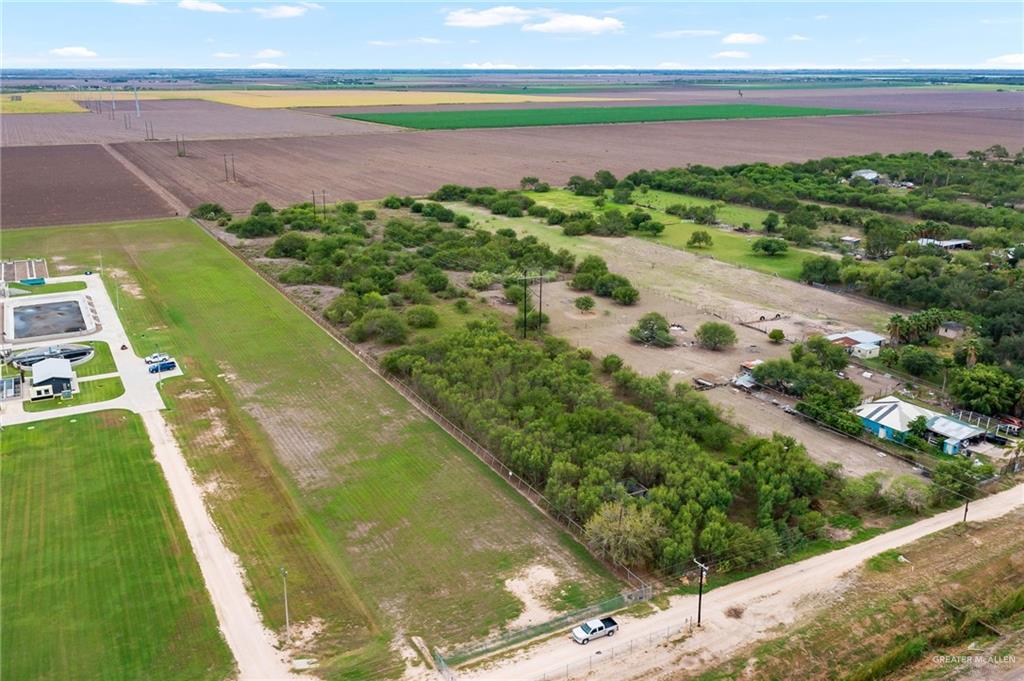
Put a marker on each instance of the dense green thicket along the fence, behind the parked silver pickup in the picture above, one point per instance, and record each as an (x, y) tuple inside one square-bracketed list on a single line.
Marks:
[(543, 410)]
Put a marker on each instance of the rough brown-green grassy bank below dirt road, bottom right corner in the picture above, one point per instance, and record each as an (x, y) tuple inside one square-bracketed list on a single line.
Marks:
[(886, 604)]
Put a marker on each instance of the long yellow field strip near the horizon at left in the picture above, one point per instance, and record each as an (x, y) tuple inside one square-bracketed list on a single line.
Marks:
[(47, 103)]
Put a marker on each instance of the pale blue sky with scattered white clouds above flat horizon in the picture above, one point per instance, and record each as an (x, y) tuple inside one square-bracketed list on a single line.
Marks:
[(293, 34)]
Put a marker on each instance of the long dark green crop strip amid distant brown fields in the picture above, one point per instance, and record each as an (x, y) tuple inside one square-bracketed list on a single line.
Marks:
[(514, 118)]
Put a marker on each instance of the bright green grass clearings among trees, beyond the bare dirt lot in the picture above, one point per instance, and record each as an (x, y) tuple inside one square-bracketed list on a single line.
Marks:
[(731, 247)]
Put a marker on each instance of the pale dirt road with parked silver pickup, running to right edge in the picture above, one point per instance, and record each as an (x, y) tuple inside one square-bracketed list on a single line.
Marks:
[(642, 651)]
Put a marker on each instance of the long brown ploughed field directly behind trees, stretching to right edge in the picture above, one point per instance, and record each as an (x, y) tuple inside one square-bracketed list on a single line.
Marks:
[(370, 166)]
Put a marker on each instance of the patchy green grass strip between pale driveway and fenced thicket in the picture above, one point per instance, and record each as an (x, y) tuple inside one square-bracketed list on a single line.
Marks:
[(386, 525)]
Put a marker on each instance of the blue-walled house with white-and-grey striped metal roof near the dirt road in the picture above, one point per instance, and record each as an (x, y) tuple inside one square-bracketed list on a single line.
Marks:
[(890, 418)]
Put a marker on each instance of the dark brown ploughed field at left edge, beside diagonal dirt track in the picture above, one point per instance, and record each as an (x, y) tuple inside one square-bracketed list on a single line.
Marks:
[(72, 185)]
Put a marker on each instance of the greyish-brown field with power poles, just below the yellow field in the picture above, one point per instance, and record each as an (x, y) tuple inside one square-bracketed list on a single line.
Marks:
[(193, 118)]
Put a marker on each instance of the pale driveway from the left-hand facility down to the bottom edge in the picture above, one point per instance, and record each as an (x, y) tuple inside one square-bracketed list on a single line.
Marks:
[(250, 643)]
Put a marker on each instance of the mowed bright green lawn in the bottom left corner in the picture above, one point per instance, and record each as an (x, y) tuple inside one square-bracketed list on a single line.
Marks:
[(100, 581)]
